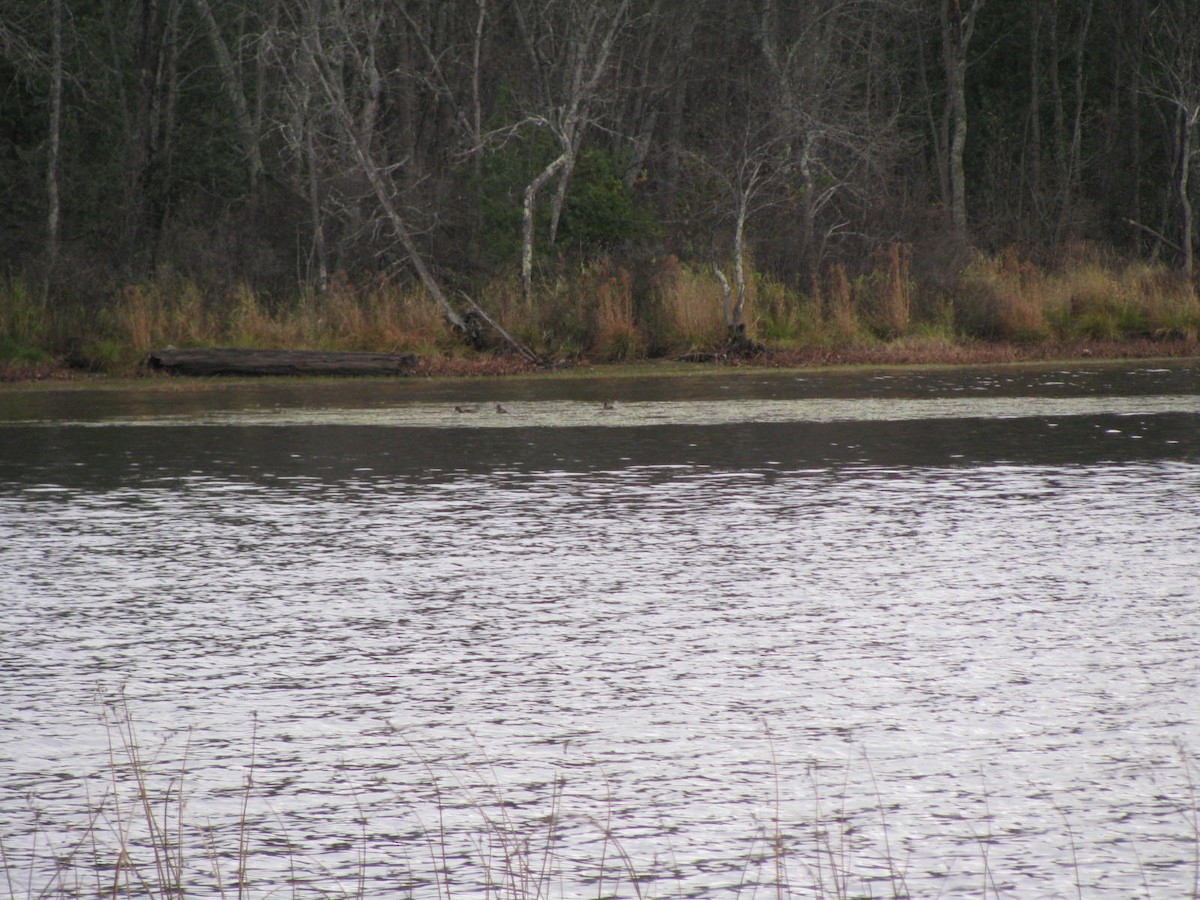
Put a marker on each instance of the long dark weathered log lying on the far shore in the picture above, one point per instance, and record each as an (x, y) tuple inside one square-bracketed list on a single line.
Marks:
[(280, 363)]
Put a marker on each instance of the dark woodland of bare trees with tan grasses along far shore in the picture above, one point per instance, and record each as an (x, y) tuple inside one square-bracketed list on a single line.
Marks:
[(609, 179)]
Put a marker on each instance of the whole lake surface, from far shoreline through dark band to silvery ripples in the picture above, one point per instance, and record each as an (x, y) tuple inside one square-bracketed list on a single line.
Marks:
[(928, 633)]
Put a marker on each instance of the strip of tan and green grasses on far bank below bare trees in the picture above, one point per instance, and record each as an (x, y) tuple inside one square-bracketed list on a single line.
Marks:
[(1001, 309)]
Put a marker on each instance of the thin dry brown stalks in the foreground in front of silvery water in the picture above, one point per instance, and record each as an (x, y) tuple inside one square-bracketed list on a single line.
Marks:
[(134, 837)]
